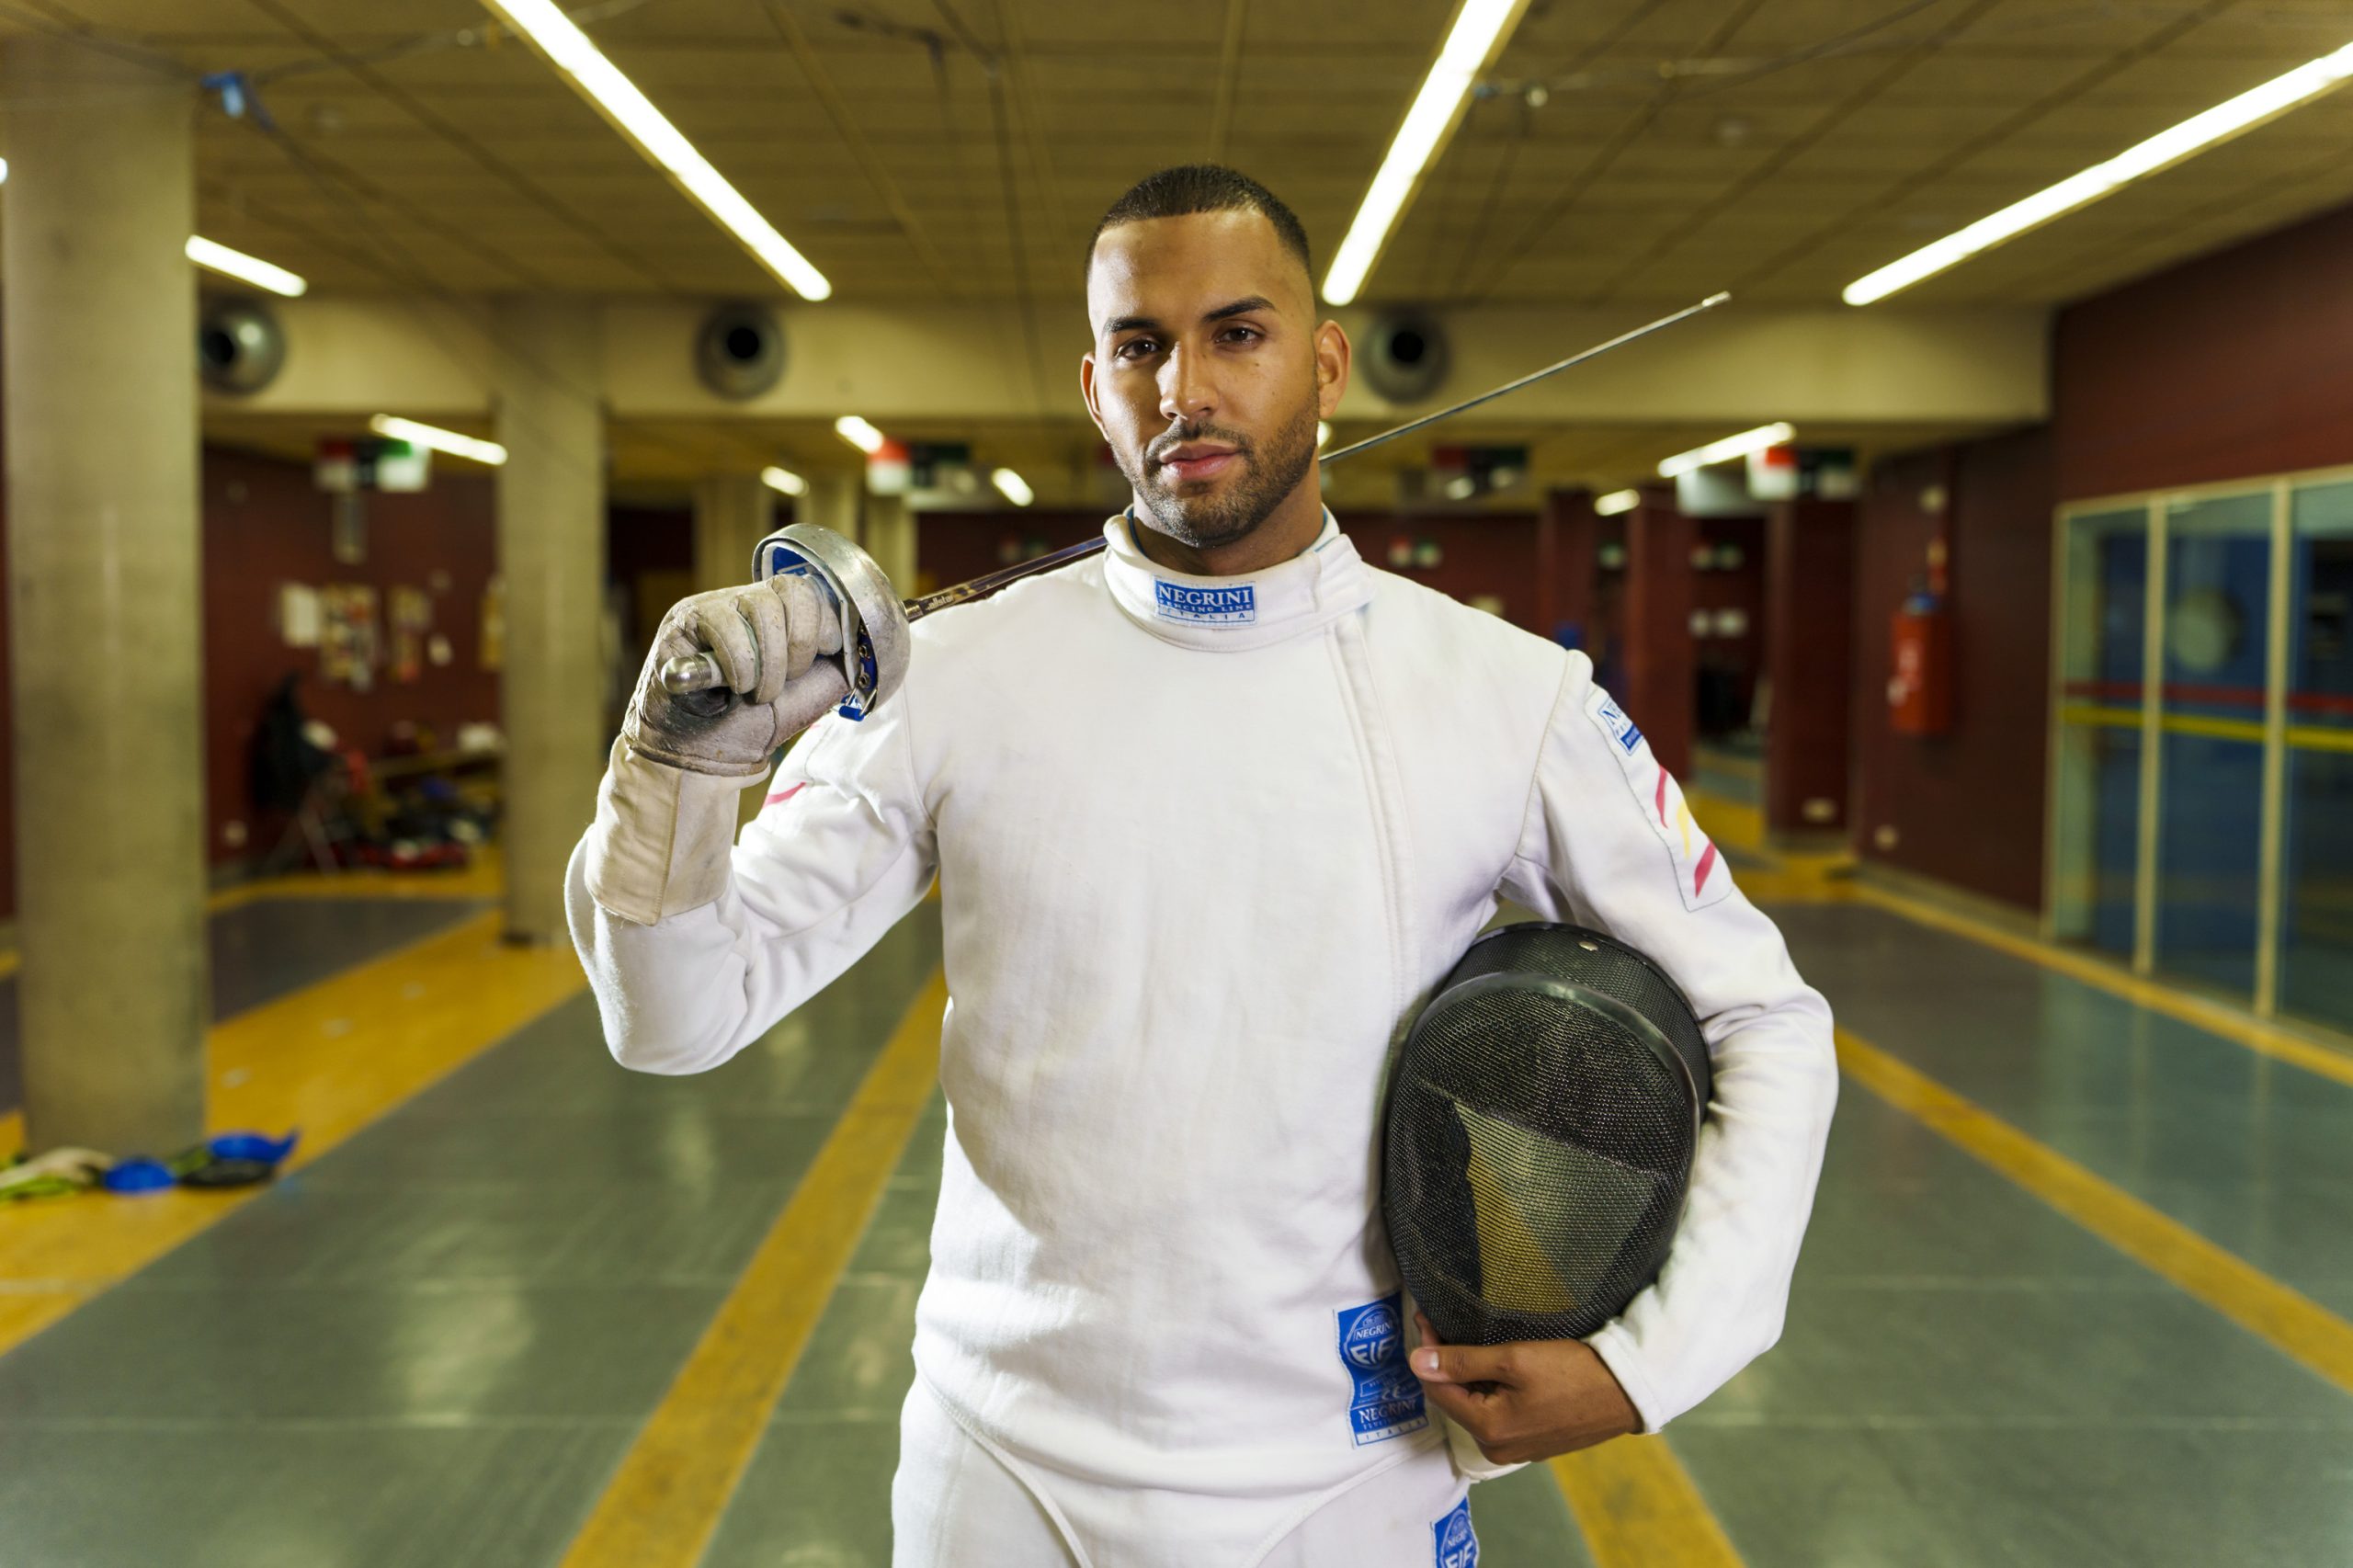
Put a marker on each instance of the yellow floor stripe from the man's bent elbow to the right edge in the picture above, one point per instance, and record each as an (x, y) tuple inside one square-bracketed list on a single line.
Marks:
[(2225, 1282)]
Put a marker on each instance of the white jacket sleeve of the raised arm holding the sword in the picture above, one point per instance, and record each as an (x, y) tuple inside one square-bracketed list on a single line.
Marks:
[(839, 853)]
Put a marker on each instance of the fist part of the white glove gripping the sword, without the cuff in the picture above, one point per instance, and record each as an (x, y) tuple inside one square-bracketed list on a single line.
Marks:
[(766, 639)]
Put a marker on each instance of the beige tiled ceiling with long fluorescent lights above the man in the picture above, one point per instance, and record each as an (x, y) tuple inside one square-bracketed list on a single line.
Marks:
[(1622, 154)]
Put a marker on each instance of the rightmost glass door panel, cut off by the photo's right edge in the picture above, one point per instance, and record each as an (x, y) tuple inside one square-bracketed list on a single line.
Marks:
[(2317, 868)]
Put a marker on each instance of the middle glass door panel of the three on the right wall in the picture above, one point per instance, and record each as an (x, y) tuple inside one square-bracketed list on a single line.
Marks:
[(2211, 825)]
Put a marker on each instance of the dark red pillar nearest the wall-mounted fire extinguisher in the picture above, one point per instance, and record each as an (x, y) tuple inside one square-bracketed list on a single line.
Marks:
[(1811, 660)]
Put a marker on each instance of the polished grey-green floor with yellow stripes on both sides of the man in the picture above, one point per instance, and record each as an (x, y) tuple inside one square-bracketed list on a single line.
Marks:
[(2077, 1294)]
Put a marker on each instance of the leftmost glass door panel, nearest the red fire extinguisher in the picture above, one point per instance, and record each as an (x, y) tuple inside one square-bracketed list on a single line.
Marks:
[(2100, 729)]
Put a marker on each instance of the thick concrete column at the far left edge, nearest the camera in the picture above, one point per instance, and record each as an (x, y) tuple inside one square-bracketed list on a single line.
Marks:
[(105, 597)]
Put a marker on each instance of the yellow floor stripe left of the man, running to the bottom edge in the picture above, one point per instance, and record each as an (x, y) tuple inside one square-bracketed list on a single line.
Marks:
[(674, 1484)]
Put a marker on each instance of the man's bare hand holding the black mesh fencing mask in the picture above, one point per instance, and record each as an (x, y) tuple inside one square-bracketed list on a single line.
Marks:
[(1526, 1402)]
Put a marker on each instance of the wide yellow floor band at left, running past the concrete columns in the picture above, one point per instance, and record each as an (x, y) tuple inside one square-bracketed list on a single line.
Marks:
[(328, 1061)]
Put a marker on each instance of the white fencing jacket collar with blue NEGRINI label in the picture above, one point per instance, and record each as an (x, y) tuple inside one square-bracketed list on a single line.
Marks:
[(1302, 594)]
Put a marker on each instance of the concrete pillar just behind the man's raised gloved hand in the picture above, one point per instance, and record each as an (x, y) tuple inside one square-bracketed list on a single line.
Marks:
[(552, 557)]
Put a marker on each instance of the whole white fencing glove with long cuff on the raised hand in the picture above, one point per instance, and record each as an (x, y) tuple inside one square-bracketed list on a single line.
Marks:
[(667, 809)]
